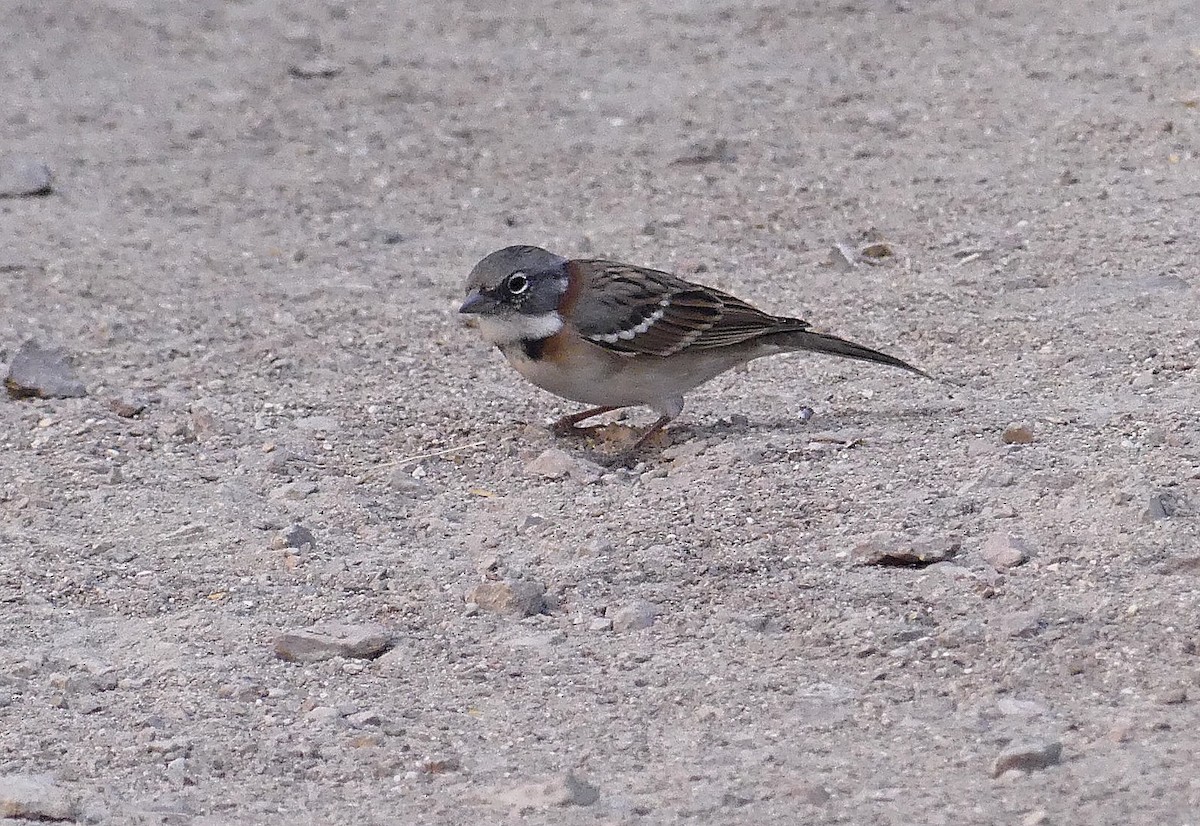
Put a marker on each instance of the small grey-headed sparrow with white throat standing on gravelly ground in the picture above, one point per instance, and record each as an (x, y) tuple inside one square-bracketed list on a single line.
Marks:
[(615, 336)]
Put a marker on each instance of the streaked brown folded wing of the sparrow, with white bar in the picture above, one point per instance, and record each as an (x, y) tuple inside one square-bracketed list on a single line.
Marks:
[(637, 310)]
